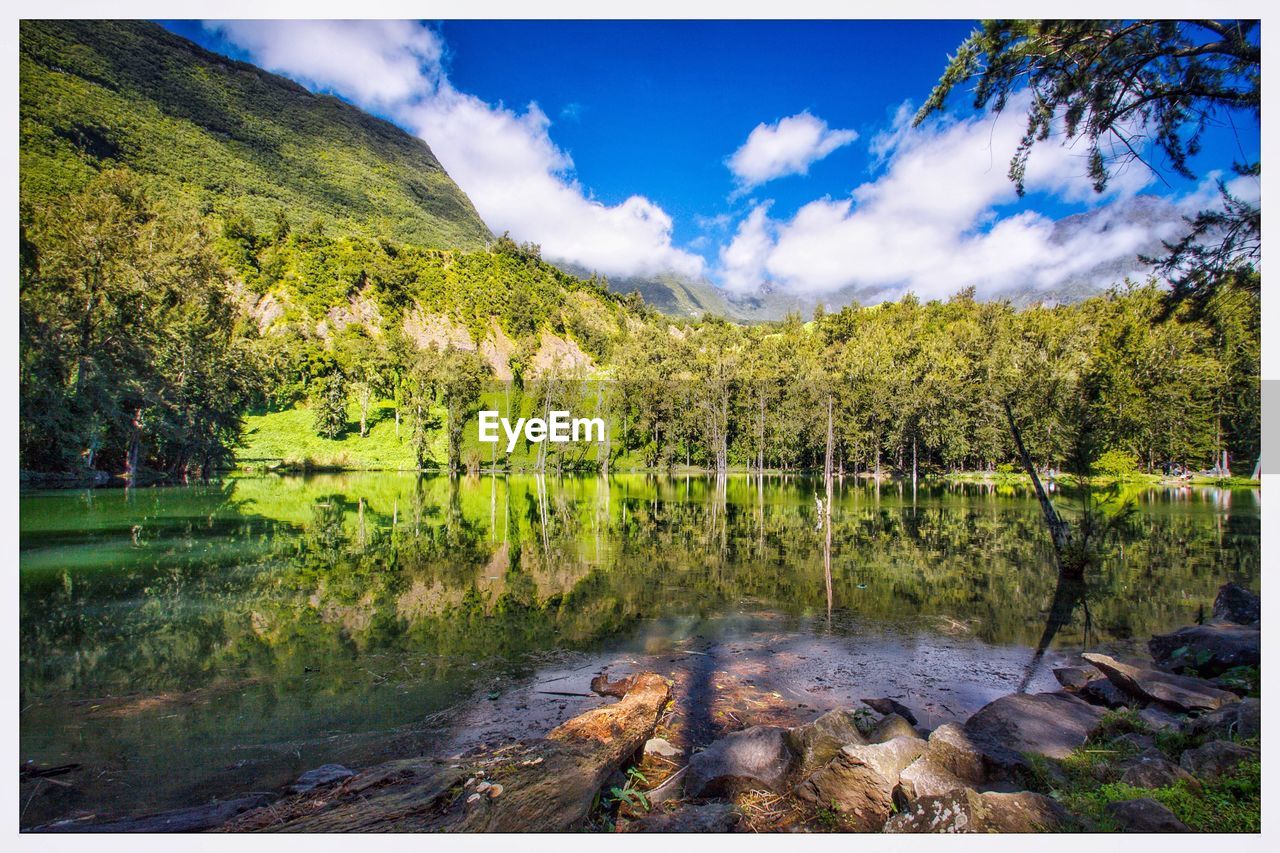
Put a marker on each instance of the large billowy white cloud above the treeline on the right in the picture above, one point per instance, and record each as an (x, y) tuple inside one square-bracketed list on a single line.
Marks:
[(931, 222)]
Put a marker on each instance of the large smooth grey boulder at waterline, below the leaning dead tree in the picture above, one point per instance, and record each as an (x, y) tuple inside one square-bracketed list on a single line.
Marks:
[(1046, 724)]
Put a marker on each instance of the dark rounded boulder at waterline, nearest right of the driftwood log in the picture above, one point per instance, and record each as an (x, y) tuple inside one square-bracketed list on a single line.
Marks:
[(756, 759)]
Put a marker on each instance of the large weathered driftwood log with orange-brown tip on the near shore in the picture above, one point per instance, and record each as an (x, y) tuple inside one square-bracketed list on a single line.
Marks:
[(541, 787)]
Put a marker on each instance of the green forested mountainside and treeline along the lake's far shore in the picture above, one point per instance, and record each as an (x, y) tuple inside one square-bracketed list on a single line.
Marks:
[(184, 266)]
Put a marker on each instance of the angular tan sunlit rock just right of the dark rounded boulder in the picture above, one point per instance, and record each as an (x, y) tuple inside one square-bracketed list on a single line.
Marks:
[(861, 781)]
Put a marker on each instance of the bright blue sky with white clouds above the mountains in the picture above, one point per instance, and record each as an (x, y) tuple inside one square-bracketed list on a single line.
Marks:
[(629, 147)]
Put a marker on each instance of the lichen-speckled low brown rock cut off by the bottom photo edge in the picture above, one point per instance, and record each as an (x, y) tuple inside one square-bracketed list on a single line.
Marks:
[(968, 811)]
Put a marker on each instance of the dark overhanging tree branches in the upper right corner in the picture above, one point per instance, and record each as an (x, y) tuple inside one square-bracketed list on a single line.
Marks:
[(1121, 85)]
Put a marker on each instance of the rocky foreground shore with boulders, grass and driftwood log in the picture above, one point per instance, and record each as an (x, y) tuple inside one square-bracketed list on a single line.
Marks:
[(1164, 745)]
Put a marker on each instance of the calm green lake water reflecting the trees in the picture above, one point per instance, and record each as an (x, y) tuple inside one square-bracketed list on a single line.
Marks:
[(186, 644)]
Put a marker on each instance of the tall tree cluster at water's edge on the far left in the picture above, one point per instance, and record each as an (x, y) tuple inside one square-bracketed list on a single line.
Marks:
[(131, 353)]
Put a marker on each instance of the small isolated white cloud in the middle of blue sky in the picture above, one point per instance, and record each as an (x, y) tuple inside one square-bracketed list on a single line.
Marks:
[(788, 147)]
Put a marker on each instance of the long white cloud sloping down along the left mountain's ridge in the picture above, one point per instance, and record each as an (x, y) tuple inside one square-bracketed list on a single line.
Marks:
[(504, 159)]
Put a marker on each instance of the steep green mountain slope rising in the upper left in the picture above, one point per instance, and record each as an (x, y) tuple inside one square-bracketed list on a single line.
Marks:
[(222, 135)]
